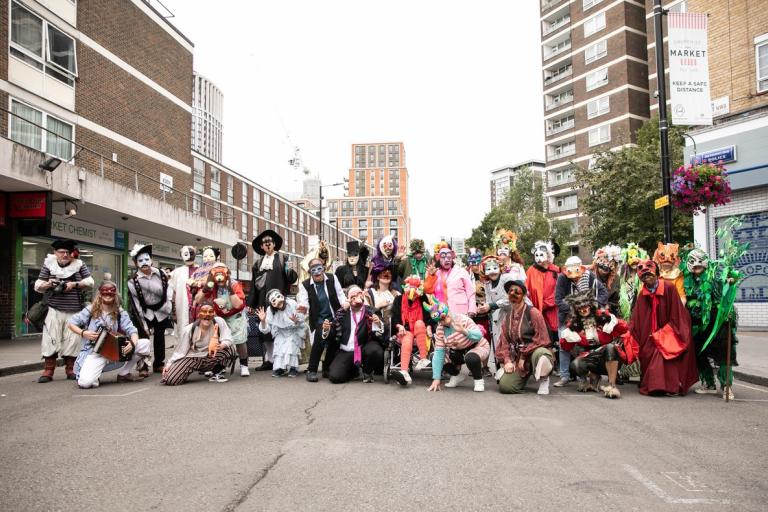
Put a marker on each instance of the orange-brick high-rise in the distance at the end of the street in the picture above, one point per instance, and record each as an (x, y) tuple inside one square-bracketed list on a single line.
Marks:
[(377, 201)]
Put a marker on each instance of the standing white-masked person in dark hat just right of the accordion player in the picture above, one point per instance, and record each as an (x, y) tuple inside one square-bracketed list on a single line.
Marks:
[(151, 297)]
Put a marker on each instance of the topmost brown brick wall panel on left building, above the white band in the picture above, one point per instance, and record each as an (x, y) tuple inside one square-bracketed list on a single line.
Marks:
[(123, 29)]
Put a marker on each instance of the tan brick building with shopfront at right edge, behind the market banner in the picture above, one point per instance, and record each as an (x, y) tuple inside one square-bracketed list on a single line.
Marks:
[(737, 44)]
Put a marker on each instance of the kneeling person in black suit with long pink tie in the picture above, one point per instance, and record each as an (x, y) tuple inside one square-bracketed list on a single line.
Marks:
[(356, 341)]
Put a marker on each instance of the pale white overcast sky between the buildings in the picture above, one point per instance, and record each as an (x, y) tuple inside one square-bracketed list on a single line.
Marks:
[(459, 83)]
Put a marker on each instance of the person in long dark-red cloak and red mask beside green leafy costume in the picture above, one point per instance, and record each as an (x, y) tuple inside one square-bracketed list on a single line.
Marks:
[(661, 327)]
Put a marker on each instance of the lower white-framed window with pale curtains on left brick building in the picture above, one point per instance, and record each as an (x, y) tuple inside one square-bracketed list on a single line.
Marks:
[(26, 133)]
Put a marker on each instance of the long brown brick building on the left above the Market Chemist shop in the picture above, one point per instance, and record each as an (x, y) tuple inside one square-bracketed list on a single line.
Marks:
[(106, 87)]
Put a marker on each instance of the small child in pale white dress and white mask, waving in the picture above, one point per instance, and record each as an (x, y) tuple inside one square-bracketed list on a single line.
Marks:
[(286, 324)]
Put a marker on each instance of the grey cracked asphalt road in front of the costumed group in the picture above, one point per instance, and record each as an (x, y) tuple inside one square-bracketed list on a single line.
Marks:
[(283, 444)]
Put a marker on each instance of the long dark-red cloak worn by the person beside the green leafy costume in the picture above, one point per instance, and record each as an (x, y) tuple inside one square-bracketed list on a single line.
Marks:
[(661, 375)]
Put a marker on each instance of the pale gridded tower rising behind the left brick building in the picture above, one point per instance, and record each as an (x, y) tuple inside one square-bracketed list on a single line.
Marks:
[(207, 117)]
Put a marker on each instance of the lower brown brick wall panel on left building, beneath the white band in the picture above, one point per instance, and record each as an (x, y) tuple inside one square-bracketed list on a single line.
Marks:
[(114, 99)]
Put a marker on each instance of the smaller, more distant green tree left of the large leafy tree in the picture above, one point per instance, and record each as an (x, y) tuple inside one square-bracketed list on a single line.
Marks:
[(522, 211)]
